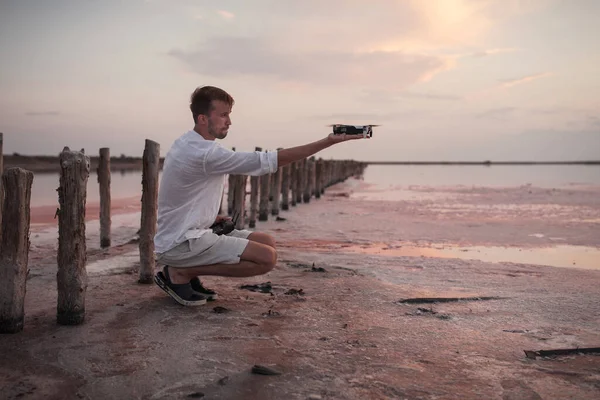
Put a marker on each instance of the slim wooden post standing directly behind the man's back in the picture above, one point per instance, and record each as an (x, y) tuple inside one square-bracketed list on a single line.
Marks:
[(150, 162)]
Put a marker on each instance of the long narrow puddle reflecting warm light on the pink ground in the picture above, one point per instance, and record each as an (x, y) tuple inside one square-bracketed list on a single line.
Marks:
[(564, 256)]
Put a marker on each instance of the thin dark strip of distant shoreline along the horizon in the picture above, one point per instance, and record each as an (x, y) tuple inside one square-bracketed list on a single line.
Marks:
[(123, 163)]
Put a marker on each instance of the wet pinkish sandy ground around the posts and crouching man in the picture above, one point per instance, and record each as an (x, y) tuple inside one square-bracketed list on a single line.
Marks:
[(346, 335)]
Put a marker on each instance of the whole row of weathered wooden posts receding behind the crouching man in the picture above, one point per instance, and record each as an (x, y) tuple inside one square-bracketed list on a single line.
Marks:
[(289, 185)]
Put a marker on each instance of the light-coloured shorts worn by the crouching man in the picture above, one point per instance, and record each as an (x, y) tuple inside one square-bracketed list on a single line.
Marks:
[(207, 250)]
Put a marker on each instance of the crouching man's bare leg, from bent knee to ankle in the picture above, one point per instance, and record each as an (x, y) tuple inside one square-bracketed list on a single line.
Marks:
[(257, 259)]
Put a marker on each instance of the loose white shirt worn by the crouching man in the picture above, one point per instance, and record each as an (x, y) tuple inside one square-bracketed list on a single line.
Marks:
[(192, 182)]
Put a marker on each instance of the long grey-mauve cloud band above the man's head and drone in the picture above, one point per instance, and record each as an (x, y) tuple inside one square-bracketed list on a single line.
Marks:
[(237, 56)]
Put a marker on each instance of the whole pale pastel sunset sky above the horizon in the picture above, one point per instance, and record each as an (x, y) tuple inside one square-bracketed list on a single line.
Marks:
[(446, 79)]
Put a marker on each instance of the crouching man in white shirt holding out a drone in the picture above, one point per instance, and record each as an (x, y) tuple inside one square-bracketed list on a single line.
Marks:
[(189, 197)]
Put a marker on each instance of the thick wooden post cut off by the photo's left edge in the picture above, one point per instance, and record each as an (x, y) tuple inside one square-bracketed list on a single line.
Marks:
[(14, 248)]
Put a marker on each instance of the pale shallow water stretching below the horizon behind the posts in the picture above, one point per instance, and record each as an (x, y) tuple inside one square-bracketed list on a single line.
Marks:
[(392, 182)]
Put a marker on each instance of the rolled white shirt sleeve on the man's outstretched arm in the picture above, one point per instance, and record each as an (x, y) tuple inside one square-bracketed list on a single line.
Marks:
[(220, 161)]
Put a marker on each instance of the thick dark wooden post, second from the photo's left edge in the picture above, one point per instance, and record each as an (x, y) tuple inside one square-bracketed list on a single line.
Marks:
[(71, 277)]
